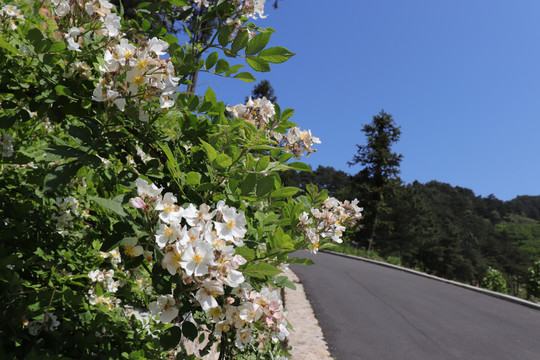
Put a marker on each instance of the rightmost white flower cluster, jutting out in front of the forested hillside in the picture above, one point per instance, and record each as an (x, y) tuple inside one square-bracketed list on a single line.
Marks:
[(328, 222)]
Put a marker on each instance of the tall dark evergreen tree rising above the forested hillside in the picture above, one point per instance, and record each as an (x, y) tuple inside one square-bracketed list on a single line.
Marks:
[(381, 169)]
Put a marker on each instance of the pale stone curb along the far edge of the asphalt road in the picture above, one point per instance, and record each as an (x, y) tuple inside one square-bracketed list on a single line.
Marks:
[(455, 283)]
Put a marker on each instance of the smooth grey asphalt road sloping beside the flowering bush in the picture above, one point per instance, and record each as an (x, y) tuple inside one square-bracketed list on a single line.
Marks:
[(368, 311)]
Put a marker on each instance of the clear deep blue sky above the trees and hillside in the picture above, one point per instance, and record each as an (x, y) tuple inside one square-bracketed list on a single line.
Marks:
[(461, 78)]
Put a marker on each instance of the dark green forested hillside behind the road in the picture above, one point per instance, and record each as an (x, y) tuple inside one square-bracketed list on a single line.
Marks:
[(441, 229)]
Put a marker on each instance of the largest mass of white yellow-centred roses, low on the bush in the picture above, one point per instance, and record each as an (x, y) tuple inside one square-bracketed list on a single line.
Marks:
[(199, 243)]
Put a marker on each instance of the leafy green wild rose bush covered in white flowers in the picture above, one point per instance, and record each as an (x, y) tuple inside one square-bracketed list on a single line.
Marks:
[(135, 214)]
